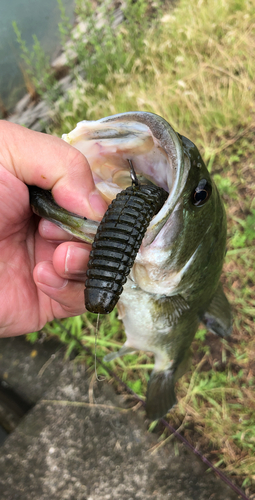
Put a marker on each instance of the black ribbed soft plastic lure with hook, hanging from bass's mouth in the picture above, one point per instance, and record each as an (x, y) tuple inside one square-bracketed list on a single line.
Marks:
[(117, 242)]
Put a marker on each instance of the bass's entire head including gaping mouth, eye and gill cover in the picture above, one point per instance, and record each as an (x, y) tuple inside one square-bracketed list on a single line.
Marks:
[(184, 245)]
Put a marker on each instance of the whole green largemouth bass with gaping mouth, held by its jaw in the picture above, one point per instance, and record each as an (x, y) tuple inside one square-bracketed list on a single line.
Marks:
[(174, 282)]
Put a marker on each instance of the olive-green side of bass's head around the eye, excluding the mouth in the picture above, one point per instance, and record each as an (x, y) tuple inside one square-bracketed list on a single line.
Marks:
[(195, 232)]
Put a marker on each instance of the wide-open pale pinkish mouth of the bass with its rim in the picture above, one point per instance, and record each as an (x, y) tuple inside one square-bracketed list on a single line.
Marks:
[(149, 142)]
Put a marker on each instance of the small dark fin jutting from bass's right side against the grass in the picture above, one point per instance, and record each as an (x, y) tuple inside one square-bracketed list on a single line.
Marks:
[(218, 317)]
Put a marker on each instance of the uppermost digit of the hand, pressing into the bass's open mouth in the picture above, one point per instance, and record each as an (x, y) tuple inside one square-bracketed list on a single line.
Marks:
[(50, 163)]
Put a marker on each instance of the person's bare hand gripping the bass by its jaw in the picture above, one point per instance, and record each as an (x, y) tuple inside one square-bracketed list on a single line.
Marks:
[(42, 272)]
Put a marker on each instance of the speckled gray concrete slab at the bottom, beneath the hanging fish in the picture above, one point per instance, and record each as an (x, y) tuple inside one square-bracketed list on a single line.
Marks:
[(94, 451)]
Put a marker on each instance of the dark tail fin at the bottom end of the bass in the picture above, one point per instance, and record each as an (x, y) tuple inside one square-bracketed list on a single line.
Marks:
[(160, 394)]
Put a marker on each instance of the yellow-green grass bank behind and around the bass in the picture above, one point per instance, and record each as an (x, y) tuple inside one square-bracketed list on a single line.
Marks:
[(193, 65)]
